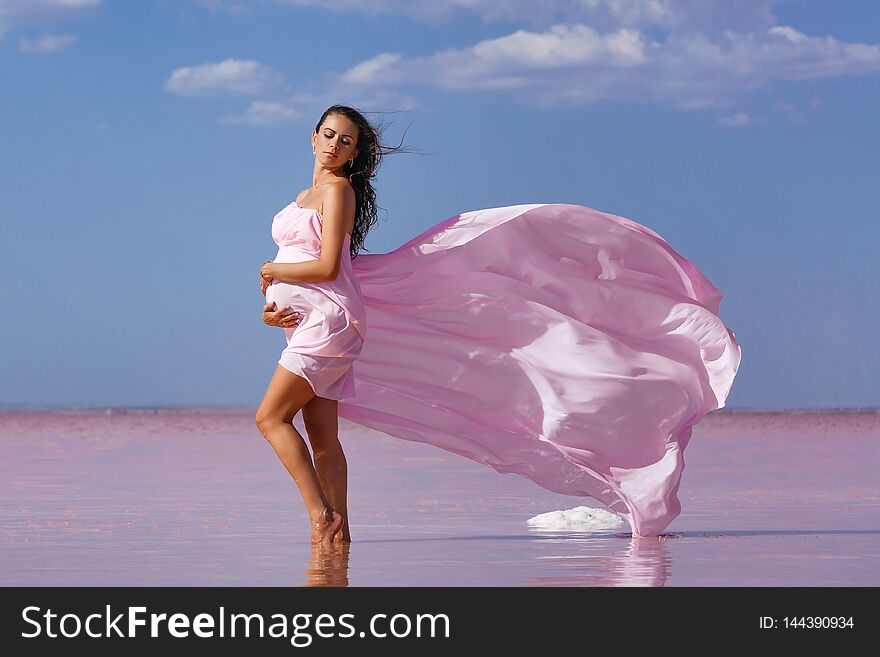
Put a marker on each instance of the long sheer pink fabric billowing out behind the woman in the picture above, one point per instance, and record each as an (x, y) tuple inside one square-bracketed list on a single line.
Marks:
[(570, 346)]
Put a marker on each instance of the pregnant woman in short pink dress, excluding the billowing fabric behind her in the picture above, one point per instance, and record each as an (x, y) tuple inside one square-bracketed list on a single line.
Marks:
[(312, 292)]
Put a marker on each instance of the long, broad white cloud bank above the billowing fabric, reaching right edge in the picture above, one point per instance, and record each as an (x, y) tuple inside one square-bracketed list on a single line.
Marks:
[(574, 64)]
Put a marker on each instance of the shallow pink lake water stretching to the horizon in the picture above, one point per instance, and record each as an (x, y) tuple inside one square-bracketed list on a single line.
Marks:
[(173, 497)]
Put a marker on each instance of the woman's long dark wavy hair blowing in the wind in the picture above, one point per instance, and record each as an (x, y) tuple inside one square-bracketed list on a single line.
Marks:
[(362, 171)]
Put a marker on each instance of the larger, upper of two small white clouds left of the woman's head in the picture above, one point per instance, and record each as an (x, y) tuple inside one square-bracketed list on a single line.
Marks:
[(231, 76)]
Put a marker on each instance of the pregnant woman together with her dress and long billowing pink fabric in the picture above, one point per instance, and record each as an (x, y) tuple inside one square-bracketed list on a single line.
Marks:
[(573, 347)]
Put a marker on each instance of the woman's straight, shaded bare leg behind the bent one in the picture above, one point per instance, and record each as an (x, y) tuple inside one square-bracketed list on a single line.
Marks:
[(321, 417)]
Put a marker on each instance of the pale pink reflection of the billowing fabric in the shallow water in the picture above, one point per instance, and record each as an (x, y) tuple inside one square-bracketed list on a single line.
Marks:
[(593, 559)]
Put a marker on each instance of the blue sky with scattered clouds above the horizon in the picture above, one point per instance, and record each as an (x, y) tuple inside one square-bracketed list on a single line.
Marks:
[(146, 146)]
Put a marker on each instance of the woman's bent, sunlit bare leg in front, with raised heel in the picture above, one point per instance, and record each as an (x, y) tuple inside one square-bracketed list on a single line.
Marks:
[(286, 395)]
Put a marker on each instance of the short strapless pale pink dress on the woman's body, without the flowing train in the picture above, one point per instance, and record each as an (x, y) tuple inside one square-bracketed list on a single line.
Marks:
[(323, 346)]
